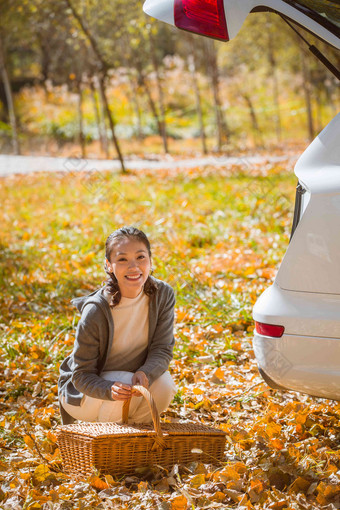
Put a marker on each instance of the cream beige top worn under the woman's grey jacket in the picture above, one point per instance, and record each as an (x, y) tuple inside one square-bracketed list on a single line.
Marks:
[(131, 329)]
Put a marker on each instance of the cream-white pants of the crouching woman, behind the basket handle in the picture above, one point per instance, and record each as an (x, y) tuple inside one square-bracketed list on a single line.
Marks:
[(162, 389)]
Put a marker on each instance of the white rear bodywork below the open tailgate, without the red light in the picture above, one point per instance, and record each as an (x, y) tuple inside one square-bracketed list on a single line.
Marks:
[(305, 296)]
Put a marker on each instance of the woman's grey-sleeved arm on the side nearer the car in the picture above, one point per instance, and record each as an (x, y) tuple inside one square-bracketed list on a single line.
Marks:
[(160, 351)]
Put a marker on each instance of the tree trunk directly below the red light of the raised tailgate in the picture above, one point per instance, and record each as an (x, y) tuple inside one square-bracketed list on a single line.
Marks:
[(222, 127)]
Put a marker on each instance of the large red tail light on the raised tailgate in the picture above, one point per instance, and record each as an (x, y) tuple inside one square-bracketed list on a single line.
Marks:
[(205, 17)]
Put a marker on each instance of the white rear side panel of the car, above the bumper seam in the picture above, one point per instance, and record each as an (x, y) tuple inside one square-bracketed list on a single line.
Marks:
[(311, 263)]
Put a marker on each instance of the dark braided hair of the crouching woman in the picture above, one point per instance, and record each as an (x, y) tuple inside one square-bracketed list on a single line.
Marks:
[(112, 286)]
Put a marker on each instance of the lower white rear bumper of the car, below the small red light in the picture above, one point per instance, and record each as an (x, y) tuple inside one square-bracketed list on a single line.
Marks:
[(301, 363)]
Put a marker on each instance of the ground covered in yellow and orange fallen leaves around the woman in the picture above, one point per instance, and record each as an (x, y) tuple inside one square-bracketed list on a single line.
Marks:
[(218, 236)]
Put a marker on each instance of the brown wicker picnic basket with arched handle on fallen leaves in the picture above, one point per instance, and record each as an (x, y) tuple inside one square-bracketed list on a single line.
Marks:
[(120, 449)]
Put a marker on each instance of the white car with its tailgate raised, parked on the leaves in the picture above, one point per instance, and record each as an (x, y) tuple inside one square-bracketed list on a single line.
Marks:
[(297, 319)]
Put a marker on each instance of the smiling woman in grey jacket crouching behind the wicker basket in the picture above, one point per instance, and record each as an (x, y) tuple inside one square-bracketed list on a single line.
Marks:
[(124, 338)]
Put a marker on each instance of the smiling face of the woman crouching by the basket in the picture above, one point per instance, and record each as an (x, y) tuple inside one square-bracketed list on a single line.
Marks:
[(130, 262)]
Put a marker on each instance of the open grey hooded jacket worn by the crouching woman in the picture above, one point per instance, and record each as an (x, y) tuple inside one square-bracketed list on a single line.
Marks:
[(80, 372)]
